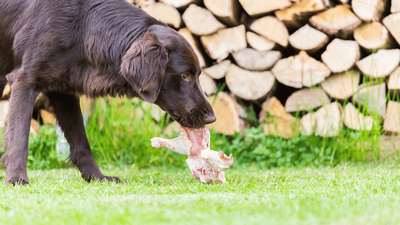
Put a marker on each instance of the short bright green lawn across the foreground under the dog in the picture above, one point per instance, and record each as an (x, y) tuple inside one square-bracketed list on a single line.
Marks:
[(340, 195)]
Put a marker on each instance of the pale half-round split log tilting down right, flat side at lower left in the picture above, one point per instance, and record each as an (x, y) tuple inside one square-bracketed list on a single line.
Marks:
[(272, 29)]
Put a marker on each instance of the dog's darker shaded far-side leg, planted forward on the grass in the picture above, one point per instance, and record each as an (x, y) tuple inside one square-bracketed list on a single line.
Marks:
[(69, 117)]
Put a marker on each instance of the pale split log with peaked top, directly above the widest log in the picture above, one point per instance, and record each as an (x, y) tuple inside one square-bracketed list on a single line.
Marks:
[(308, 39)]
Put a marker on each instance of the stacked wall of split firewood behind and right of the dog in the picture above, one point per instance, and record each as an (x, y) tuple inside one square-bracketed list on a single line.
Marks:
[(303, 66)]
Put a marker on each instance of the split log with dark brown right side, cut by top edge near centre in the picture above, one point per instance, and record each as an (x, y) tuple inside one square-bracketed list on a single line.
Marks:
[(228, 11)]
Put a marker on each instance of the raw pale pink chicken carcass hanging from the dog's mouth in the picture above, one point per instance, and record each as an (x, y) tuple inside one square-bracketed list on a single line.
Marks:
[(206, 165)]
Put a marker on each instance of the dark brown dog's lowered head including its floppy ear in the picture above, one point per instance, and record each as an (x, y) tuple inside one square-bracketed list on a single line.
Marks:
[(163, 69)]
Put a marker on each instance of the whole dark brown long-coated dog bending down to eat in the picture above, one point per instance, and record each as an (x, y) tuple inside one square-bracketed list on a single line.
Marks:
[(94, 47)]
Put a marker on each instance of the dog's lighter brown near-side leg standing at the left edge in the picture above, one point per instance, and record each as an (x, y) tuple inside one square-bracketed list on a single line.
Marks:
[(17, 130)]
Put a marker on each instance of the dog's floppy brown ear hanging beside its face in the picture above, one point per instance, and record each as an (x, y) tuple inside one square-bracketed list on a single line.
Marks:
[(144, 66)]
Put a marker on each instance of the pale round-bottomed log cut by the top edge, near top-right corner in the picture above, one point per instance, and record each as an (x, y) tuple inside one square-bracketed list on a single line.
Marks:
[(370, 10)]
